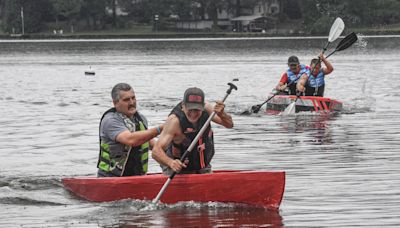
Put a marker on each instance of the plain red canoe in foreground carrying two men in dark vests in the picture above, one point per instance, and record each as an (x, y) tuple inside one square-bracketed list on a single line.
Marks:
[(257, 188)]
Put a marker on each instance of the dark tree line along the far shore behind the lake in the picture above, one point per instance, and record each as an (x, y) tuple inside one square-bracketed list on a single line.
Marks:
[(89, 15)]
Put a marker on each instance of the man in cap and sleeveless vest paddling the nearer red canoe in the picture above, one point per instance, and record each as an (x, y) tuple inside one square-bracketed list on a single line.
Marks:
[(181, 127)]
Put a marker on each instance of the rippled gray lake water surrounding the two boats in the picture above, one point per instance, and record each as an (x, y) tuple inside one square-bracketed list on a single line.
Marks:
[(342, 170)]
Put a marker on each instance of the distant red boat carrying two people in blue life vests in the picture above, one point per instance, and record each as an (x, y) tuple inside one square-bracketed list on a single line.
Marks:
[(303, 104)]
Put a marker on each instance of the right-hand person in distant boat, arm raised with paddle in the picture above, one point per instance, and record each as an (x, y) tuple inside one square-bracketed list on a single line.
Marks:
[(313, 84)]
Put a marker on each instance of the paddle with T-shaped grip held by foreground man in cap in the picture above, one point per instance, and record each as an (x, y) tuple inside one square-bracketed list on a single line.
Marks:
[(231, 86)]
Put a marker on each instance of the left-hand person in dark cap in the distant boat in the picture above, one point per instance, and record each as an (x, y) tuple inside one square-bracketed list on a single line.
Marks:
[(287, 84)]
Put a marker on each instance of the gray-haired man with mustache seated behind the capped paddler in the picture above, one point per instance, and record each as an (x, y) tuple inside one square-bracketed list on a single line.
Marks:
[(125, 139)]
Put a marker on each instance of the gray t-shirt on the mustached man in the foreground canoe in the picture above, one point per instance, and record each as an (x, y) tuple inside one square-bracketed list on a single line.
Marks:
[(111, 126)]
